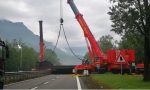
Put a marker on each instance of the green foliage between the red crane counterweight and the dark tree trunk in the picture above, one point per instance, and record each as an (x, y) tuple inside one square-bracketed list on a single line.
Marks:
[(135, 42)]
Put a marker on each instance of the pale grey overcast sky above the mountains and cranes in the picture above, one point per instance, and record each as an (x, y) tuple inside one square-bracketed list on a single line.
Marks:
[(31, 11)]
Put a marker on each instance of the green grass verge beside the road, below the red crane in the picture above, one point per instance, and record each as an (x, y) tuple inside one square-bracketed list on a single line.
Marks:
[(117, 81)]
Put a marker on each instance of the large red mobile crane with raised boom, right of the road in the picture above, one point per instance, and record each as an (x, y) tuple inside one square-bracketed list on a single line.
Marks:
[(114, 59)]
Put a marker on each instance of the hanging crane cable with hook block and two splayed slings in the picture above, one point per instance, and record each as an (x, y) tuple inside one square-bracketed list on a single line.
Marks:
[(62, 28)]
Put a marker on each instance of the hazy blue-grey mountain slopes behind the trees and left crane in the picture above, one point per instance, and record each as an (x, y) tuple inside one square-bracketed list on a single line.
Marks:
[(18, 31)]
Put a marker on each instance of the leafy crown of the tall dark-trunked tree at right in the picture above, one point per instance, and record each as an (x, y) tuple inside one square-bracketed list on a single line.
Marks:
[(125, 15)]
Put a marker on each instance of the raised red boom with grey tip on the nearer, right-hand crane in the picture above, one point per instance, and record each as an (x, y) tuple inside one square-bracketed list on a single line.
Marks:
[(97, 52)]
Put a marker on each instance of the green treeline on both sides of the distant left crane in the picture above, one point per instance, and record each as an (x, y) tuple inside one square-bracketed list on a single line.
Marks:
[(29, 57)]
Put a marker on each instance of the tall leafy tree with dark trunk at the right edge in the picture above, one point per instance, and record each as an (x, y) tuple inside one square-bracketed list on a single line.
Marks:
[(133, 16)]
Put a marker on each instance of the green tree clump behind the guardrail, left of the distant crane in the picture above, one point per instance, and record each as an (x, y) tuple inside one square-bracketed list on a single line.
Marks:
[(29, 58)]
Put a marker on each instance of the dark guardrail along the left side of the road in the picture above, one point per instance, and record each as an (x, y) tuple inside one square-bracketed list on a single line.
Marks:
[(11, 77)]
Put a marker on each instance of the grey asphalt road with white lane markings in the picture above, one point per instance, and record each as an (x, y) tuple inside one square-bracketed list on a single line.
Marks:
[(49, 82)]
